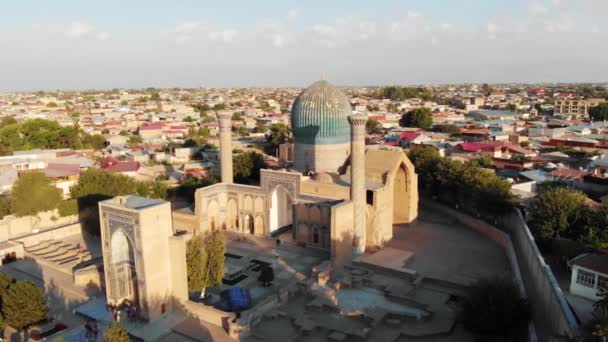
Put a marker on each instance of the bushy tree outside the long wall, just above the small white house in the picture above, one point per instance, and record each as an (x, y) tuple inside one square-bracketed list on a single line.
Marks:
[(558, 212)]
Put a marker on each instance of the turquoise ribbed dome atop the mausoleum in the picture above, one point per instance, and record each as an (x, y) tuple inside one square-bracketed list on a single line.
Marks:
[(320, 115)]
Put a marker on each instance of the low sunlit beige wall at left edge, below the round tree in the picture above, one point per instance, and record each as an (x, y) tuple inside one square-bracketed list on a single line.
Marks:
[(12, 227)]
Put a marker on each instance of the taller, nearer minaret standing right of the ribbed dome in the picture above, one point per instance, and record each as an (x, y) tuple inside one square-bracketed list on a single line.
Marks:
[(357, 180)]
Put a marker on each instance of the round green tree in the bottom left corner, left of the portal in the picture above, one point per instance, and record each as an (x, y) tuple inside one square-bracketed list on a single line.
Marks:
[(23, 304)]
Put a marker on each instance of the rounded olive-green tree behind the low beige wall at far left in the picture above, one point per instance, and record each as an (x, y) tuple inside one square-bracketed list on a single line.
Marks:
[(32, 193)]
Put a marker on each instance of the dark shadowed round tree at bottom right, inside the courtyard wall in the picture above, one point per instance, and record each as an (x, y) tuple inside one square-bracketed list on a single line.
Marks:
[(496, 307)]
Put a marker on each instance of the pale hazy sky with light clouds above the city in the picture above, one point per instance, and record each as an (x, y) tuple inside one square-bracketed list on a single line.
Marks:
[(87, 44)]
